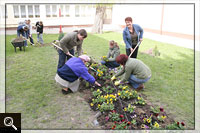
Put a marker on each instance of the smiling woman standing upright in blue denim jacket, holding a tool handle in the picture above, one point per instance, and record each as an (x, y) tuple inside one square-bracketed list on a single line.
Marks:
[(132, 34)]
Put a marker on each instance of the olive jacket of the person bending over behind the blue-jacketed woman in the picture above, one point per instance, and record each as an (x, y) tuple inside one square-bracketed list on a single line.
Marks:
[(69, 41)]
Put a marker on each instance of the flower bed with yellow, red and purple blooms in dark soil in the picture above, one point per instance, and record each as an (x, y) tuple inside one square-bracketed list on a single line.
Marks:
[(122, 107)]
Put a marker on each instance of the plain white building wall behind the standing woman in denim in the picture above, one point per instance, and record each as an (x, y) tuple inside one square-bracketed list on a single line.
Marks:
[(158, 18)]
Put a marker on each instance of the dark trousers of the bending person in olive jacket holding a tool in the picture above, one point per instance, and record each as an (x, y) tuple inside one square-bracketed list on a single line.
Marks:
[(62, 57)]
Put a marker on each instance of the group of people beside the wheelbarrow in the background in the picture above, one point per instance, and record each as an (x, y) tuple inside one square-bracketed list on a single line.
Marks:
[(24, 29)]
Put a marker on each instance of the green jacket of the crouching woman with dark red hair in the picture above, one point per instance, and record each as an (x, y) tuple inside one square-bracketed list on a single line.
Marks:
[(135, 67)]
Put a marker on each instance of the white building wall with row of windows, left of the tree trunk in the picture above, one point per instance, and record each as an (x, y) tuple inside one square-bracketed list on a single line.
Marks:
[(86, 15)]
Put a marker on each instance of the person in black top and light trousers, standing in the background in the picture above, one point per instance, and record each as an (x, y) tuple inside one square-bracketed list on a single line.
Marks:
[(39, 29)]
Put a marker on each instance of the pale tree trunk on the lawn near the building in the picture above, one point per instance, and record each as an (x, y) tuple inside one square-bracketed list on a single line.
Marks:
[(98, 22)]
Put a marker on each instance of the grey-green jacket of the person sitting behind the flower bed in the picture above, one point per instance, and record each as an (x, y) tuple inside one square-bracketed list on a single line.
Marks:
[(113, 53)]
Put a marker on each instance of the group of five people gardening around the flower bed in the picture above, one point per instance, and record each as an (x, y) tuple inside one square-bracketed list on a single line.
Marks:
[(71, 68)]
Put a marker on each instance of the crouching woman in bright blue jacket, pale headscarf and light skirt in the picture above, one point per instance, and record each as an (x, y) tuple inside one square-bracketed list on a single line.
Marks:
[(68, 75)]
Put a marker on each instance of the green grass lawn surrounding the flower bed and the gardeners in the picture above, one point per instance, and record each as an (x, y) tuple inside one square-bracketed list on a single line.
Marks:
[(31, 89)]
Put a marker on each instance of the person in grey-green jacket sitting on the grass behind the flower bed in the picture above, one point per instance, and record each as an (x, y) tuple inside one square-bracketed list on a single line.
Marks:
[(114, 51)]
